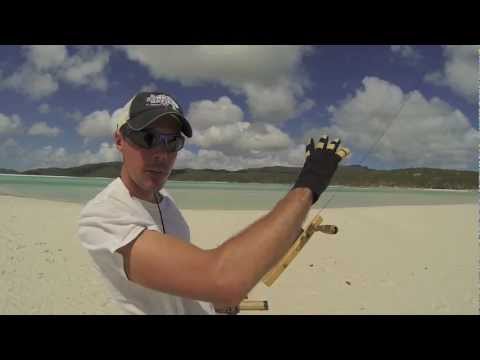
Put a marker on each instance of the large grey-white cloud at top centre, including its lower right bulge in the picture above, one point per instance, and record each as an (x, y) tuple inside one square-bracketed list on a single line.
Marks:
[(271, 77)]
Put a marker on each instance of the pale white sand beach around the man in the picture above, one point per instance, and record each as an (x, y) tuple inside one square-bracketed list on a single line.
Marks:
[(384, 260)]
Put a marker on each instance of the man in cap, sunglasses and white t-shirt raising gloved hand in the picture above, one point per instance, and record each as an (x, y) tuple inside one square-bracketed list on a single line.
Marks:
[(140, 243)]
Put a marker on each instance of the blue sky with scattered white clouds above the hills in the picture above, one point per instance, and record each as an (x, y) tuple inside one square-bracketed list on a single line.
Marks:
[(393, 106)]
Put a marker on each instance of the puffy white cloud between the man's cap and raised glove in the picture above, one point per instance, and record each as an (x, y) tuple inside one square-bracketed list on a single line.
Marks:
[(226, 141)]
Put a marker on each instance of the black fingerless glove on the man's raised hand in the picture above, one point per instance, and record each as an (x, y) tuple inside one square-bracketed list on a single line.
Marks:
[(318, 169)]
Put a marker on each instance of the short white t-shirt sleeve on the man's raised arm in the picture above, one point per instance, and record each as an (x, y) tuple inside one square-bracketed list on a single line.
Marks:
[(108, 225)]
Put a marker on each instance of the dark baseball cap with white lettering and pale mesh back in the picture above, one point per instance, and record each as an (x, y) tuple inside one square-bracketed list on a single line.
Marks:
[(147, 107)]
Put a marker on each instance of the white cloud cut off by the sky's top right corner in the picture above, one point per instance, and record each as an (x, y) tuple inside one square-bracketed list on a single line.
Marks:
[(460, 71)]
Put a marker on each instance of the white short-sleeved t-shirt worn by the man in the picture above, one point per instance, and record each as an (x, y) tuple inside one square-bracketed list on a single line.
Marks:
[(113, 219)]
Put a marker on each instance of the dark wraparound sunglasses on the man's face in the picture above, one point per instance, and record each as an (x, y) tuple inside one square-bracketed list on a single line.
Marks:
[(154, 138)]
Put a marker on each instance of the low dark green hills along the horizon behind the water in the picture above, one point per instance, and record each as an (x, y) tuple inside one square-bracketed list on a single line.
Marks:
[(358, 176)]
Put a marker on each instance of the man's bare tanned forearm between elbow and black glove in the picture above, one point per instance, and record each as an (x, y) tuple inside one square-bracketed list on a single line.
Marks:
[(246, 257)]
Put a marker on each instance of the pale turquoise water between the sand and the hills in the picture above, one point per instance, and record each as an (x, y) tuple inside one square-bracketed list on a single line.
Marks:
[(229, 196)]
